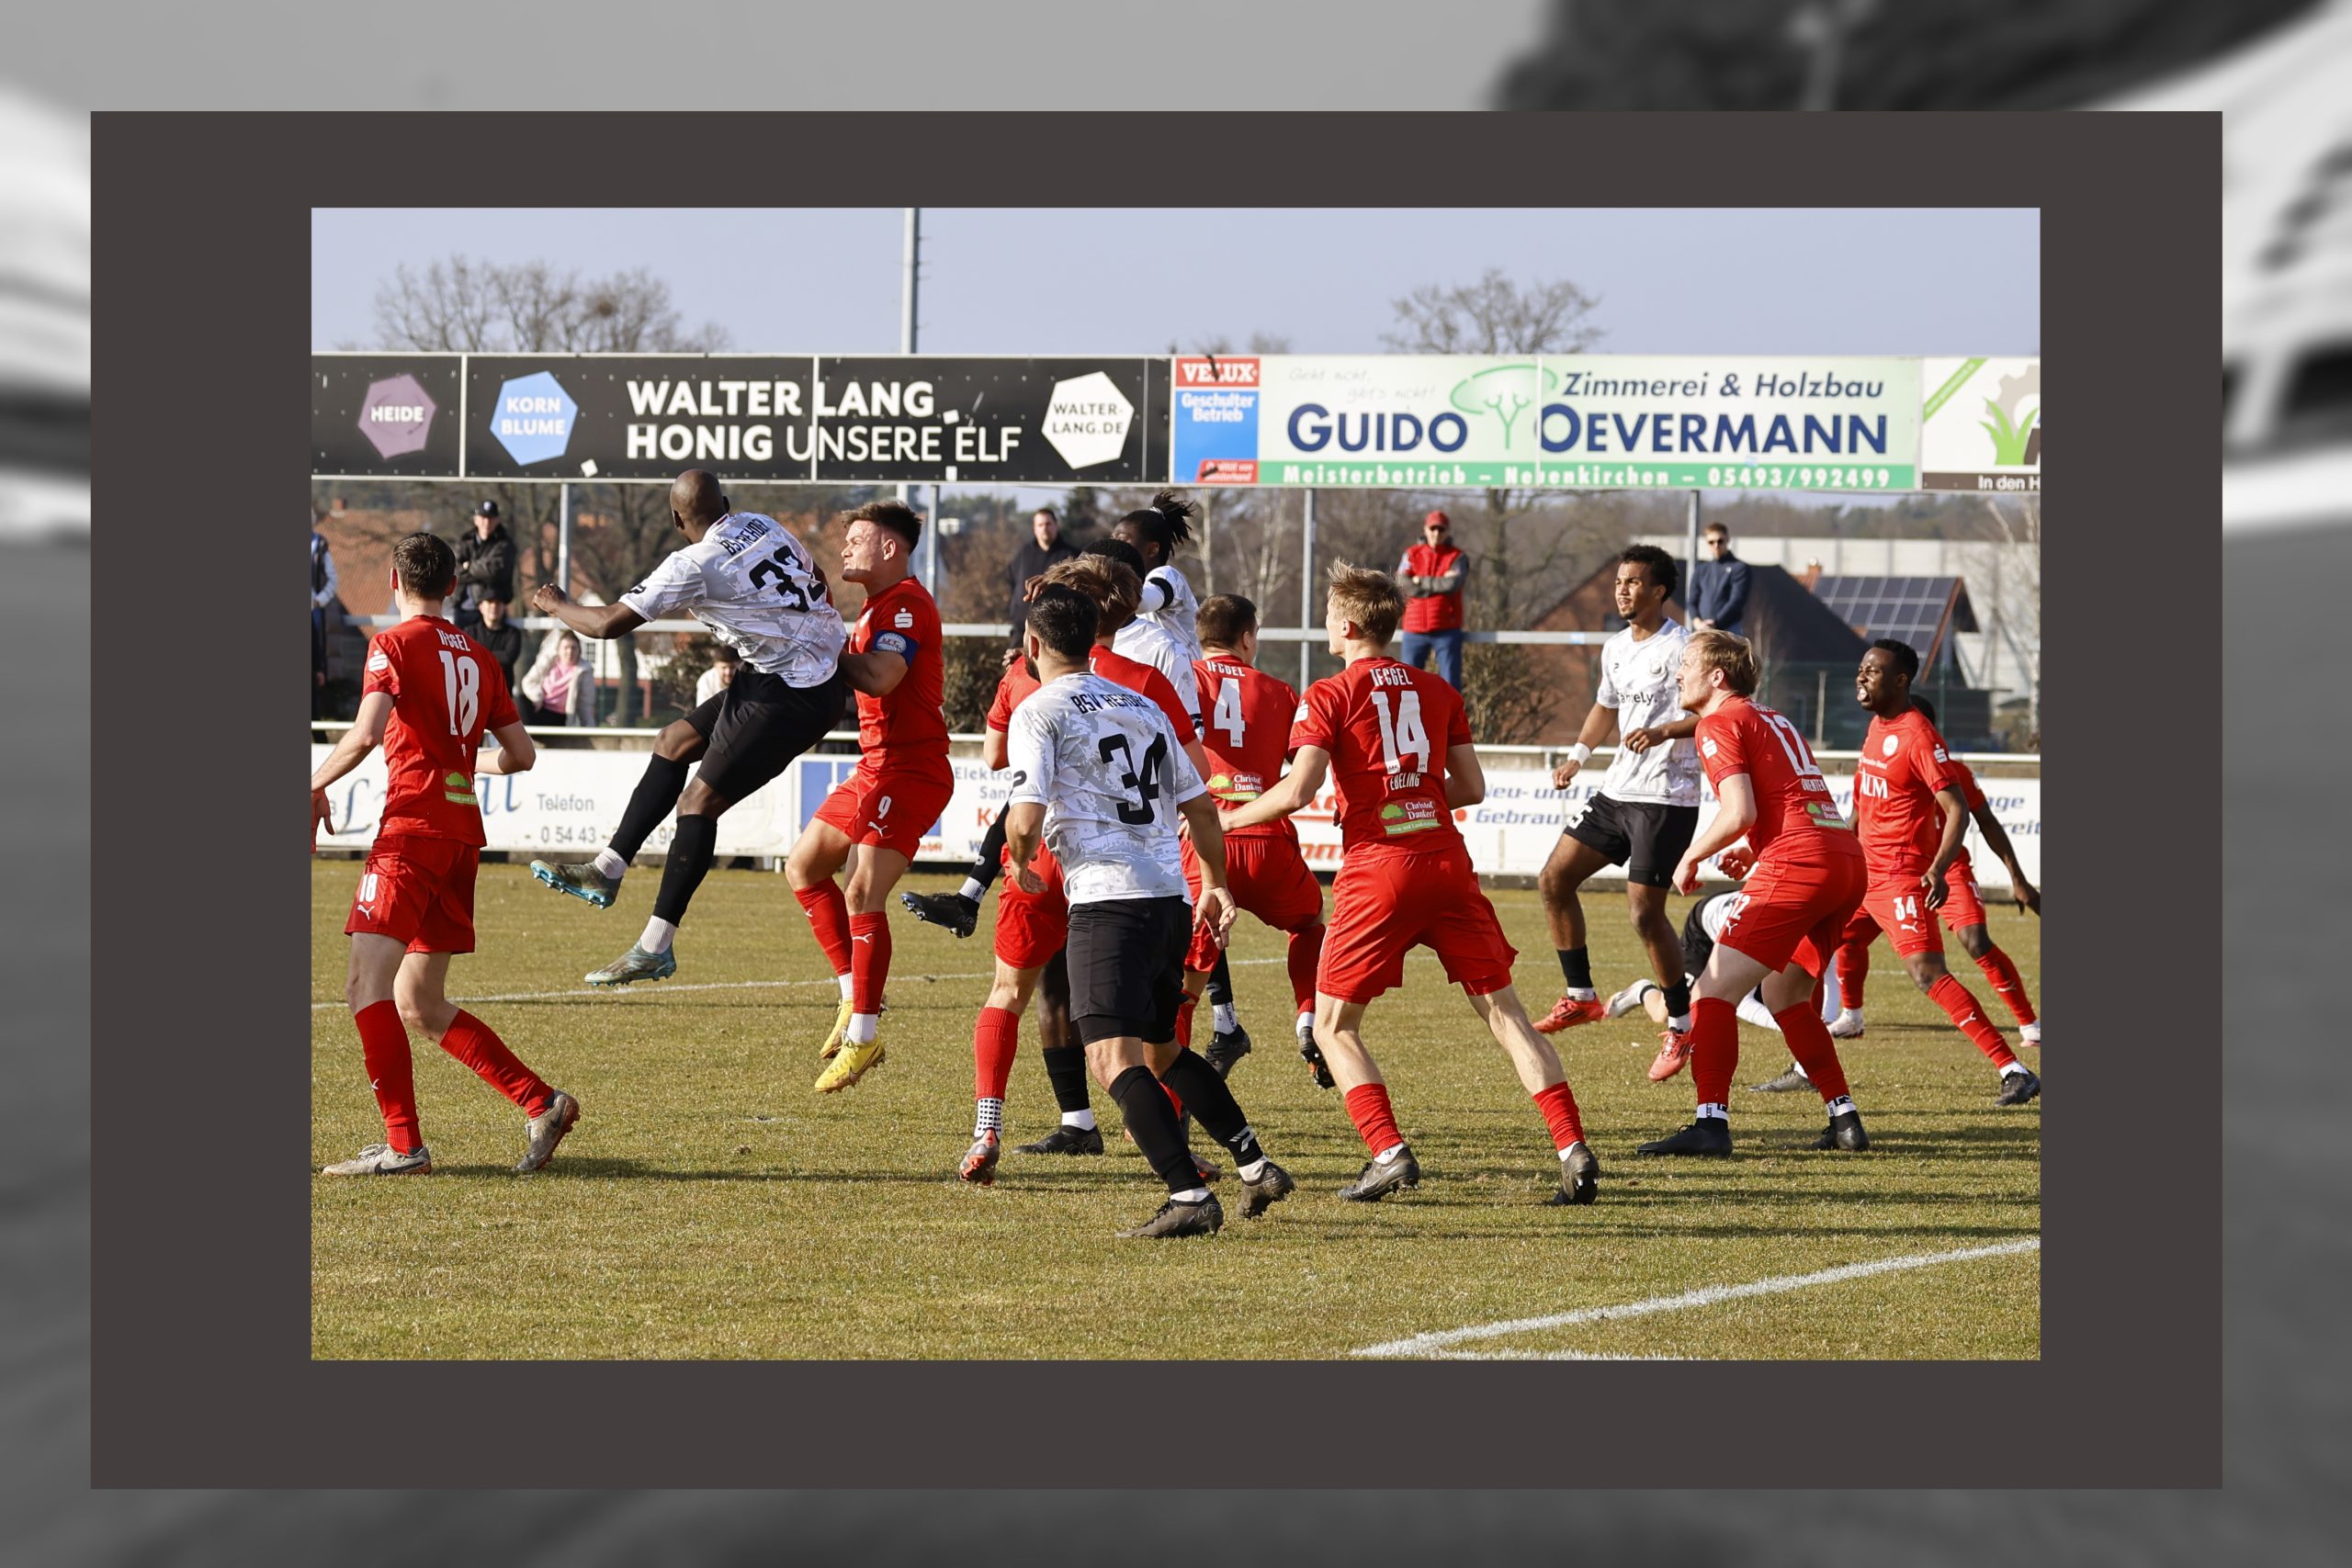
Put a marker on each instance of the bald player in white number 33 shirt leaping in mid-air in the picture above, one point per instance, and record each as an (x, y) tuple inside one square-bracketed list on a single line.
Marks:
[(761, 591)]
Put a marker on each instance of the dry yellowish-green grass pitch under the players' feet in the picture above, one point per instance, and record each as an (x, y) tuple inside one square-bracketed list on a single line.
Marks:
[(714, 1207)]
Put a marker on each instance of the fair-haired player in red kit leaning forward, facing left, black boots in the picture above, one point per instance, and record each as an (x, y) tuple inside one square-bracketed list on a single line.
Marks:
[(1798, 897)]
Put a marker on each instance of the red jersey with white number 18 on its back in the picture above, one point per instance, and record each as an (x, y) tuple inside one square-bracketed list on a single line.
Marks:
[(446, 692)]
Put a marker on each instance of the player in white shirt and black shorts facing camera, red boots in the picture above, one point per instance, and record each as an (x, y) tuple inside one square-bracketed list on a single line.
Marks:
[(1645, 810)]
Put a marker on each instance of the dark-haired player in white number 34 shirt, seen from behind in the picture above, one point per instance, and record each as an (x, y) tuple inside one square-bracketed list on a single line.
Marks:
[(1100, 777)]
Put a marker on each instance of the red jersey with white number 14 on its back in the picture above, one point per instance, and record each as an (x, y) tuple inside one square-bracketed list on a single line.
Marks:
[(1389, 730)]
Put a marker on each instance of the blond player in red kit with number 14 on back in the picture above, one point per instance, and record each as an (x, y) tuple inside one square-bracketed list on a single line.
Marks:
[(1398, 751)]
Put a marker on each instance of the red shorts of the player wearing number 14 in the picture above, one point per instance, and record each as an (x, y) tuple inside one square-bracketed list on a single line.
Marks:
[(1389, 904)]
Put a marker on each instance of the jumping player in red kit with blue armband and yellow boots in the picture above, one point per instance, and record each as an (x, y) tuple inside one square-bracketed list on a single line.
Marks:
[(876, 819)]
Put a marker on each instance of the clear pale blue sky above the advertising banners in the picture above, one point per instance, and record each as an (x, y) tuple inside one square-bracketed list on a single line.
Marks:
[(1135, 281)]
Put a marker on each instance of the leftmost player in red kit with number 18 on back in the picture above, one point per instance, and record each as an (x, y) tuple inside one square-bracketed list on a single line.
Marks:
[(429, 695)]
